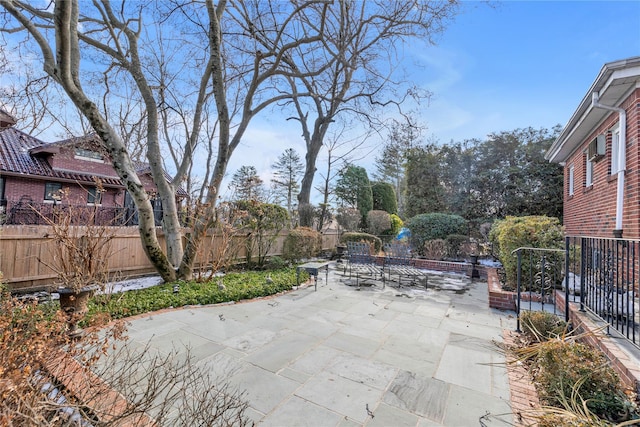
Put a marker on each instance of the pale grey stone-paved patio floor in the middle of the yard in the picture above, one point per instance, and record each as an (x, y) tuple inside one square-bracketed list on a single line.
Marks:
[(347, 356)]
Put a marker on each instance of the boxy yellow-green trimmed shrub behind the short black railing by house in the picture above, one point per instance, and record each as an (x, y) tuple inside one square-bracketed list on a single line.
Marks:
[(511, 233)]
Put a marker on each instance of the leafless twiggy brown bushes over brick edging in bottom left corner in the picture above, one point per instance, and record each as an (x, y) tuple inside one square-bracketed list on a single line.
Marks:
[(100, 379)]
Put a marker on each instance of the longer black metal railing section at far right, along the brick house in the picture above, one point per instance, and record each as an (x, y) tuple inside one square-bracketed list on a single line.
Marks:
[(603, 278)]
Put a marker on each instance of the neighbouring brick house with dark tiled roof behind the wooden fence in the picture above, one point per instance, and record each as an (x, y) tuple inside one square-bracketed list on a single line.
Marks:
[(33, 172)]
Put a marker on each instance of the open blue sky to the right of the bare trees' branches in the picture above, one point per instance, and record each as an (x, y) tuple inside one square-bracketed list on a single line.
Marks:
[(510, 65)]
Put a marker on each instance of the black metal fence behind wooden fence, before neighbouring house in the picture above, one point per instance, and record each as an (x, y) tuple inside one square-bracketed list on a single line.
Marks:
[(27, 212)]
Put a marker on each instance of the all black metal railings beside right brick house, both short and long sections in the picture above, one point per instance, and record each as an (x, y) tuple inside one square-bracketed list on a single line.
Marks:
[(599, 274)]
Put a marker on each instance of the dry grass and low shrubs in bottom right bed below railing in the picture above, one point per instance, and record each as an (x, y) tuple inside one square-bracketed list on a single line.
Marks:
[(575, 382)]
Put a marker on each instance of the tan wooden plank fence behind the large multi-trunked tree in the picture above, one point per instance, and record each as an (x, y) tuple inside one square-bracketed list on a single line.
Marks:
[(26, 253)]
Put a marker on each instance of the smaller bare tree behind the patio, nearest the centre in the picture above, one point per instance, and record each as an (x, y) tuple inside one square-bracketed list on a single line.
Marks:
[(362, 36)]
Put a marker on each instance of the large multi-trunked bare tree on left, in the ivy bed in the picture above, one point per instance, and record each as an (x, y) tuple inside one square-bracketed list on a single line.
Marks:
[(210, 59)]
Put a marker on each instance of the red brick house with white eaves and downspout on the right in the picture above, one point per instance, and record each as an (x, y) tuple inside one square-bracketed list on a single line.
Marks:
[(599, 149)]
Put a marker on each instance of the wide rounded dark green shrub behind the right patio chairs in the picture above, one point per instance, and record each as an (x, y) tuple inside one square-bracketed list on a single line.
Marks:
[(431, 226)]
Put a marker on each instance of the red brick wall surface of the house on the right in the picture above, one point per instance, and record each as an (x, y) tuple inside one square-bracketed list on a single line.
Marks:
[(592, 211)]
